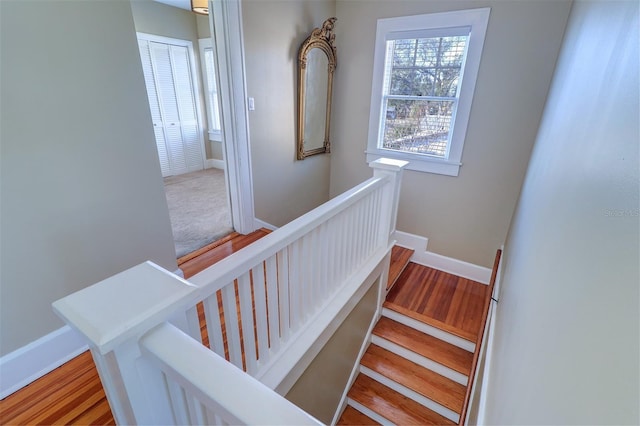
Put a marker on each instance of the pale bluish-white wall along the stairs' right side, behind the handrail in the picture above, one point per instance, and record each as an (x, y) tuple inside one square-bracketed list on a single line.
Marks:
[(566, 342)]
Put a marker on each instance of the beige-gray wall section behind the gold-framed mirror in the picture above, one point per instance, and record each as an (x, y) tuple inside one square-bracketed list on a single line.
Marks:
[(283, 187)]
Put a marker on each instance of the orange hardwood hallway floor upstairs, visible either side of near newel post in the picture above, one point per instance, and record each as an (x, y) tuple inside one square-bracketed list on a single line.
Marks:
[(73, 393)]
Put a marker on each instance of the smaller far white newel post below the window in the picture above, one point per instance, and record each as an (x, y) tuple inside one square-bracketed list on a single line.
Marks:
[(393, 169)]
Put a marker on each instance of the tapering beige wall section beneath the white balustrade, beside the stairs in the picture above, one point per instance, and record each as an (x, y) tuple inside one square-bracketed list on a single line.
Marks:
[(319, 389)]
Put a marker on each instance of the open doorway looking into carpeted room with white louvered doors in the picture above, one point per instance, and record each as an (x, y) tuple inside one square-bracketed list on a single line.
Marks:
[(195, 189)]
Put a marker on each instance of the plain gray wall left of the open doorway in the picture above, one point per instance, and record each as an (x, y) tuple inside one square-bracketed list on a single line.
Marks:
[(81, 190)]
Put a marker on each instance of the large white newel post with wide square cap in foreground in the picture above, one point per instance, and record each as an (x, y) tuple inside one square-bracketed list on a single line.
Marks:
[(113, 315)]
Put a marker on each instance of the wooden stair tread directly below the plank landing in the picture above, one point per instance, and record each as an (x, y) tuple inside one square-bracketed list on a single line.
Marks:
[(430, 347)]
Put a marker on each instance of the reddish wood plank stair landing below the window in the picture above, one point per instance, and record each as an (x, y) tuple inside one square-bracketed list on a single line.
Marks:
[(443, 300)]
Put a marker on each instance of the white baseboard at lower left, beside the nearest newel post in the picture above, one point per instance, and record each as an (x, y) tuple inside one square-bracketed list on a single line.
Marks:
[(30, 362)]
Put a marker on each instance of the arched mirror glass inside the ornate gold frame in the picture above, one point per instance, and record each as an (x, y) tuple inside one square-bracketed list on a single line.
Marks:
[(315, 99)]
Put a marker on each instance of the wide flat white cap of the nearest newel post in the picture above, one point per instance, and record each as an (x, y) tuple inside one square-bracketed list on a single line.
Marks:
[(125, 305)]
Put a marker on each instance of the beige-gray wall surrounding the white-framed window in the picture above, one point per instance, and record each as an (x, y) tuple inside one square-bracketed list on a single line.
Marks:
[(464, 217)]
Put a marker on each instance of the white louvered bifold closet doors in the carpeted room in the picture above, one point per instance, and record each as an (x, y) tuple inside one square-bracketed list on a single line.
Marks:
[(177, 128)]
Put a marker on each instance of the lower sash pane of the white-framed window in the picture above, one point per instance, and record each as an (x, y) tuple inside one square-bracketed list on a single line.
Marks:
[(420, 127)]
